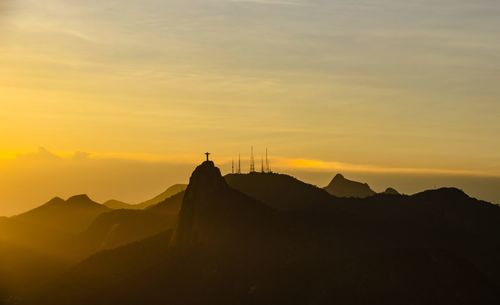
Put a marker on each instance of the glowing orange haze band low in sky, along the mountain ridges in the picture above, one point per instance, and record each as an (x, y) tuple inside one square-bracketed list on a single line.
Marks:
[(47, 175)]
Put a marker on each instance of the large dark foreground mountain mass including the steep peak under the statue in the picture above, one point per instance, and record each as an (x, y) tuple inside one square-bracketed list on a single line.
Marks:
[(435, 247)]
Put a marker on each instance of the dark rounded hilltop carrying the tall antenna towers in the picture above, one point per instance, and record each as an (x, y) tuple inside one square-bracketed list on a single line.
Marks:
[(281, 192)]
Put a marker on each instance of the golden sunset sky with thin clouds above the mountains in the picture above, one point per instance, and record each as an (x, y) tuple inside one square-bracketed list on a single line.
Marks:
[(100, 96)]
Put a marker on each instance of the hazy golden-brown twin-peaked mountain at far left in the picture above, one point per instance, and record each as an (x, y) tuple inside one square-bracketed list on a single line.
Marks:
[(73, 215)]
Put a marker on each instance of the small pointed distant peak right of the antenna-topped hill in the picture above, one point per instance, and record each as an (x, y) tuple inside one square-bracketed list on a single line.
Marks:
[(344, 188)]
